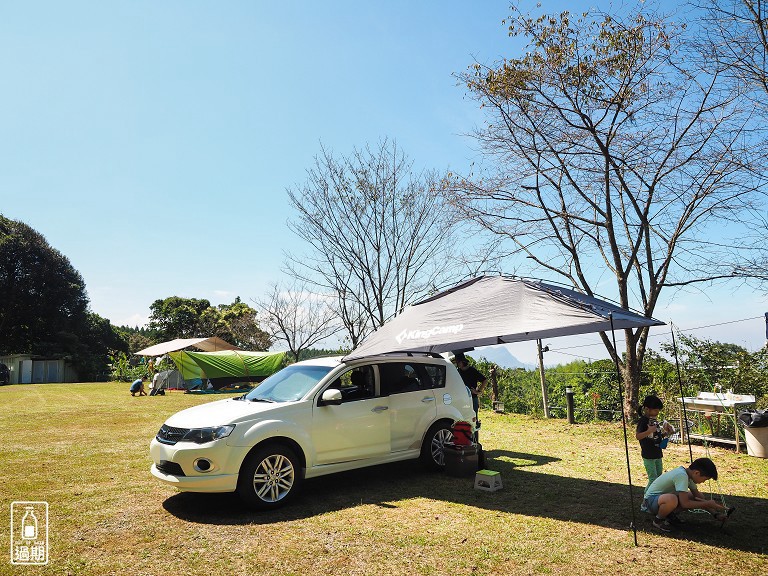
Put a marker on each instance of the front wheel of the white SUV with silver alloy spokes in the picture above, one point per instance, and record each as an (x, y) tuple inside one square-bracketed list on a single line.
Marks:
[(270, 477)]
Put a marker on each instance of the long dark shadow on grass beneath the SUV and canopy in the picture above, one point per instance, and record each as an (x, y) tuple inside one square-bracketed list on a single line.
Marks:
[(526, 491)]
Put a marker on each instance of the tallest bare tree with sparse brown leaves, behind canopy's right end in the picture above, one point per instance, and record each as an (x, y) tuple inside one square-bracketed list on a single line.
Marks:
[(613, 162)]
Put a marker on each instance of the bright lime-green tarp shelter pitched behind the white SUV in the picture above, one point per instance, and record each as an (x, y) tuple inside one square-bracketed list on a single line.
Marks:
[(228, 366)]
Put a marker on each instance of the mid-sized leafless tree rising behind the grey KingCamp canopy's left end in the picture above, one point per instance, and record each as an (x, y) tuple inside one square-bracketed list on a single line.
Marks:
[(379, 233)]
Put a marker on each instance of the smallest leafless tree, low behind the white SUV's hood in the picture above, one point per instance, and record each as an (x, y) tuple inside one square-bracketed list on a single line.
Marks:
[(298, 317)]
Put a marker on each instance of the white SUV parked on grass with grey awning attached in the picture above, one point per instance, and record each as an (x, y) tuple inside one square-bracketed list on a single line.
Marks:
[(313, 418)]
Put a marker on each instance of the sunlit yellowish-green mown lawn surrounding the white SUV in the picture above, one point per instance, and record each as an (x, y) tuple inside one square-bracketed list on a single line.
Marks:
[(83, 448)]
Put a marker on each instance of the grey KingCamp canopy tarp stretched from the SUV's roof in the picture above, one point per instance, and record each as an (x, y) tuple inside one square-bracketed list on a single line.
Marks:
[(496, 310)]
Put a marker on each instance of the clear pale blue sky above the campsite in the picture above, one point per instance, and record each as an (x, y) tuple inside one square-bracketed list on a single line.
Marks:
[(152, 142)]
